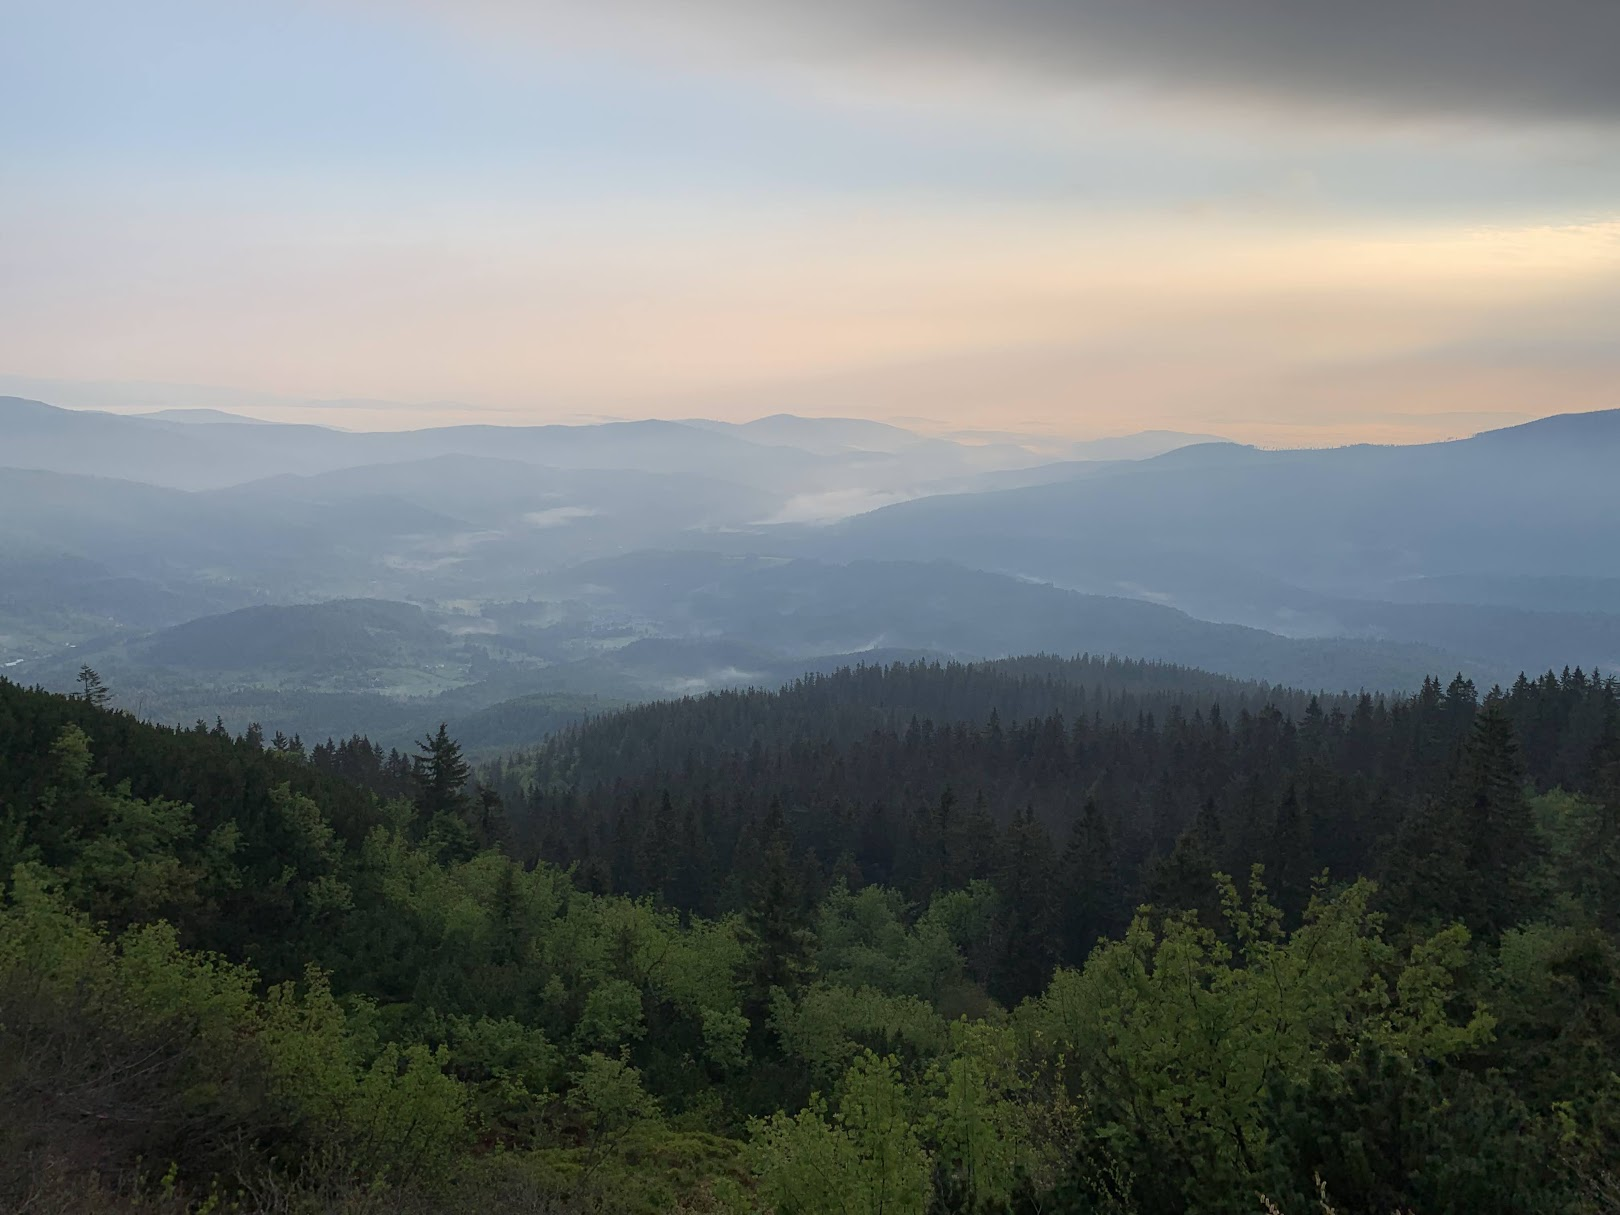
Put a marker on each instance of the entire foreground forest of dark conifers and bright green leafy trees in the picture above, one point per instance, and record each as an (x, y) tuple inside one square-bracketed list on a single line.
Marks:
[(1038, 936)]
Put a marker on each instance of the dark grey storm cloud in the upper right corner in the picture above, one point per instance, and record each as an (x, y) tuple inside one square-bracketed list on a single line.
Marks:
[(1548, 59)]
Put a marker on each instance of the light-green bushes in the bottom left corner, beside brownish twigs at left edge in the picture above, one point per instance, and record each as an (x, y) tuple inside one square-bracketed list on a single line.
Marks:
[(177, 1054)]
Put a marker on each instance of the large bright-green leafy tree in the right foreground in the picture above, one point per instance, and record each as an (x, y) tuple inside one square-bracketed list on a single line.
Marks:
[(1179, 1041)]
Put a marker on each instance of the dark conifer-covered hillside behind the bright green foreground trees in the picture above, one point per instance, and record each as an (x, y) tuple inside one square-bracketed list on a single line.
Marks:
[(1099, 783)]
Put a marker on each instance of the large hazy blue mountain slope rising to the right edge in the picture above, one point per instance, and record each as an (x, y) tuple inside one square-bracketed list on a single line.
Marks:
[(1204, 526)]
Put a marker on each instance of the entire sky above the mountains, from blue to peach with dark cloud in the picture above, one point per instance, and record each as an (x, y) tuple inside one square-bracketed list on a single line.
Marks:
[(1282, 223)]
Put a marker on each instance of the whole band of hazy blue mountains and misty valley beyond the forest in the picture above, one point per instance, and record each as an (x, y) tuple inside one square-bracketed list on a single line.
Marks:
[(534, 561)]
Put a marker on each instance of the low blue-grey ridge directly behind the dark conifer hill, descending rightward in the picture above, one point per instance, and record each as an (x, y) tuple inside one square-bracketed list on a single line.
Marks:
[(819, 608)]
